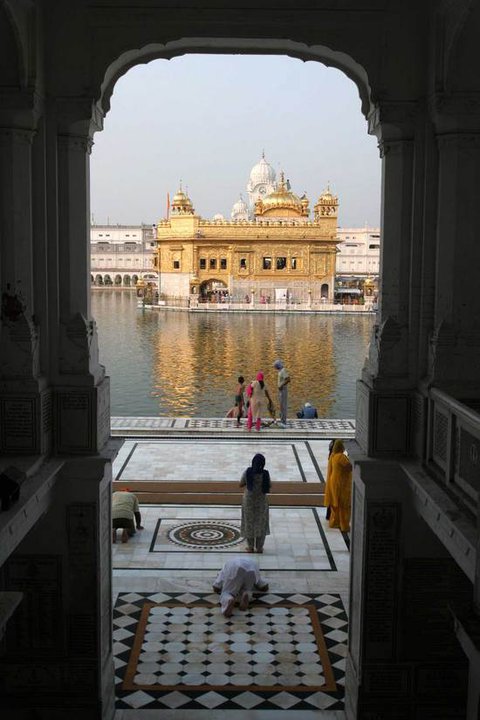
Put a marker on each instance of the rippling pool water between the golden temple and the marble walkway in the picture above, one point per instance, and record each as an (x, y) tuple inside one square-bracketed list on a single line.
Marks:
[(186, 364)]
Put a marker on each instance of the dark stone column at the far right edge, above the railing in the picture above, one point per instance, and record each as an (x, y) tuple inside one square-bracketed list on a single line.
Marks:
[(454, 362)]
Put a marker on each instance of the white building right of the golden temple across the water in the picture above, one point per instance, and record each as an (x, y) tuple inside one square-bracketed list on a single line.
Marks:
[(358, 260)]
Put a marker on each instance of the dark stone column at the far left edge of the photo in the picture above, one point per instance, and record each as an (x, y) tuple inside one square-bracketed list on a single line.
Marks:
[(24, 398)]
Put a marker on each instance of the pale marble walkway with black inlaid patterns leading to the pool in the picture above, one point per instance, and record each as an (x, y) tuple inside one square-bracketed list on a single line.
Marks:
[(176, 656)]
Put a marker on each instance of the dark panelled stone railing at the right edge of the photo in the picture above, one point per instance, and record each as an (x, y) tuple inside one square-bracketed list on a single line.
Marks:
[(453, 444)]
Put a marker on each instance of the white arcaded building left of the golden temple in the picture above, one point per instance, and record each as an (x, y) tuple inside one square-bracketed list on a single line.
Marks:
[(122, 255)]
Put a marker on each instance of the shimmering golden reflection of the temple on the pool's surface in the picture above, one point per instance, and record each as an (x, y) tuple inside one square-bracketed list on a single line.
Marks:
[(183, 383)]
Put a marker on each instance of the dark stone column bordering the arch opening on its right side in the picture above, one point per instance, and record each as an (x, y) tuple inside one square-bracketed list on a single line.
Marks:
[(384, 392)]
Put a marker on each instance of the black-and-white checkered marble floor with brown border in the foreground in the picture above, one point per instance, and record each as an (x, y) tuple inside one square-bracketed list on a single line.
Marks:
[(173, 651)]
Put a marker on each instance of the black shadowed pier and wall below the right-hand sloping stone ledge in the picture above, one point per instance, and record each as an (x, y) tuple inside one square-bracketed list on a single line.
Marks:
[(404, 660)]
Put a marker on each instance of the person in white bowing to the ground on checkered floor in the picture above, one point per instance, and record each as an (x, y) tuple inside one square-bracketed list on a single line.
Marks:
[(239, 577)]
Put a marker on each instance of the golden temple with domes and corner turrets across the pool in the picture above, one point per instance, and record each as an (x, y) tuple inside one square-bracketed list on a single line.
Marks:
[(274, 249)]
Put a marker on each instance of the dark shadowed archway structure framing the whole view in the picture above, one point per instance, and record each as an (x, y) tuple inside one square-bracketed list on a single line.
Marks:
[(413, 648)]
